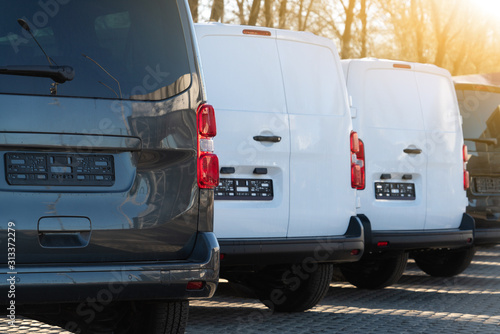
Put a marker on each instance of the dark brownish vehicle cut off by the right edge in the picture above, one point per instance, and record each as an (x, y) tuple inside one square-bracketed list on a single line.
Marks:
[(480, 109)]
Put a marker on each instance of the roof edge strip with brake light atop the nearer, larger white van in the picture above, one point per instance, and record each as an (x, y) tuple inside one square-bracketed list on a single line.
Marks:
[(214, 28)]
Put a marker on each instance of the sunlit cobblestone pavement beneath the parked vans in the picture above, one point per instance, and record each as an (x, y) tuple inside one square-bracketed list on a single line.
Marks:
[(468, 303)]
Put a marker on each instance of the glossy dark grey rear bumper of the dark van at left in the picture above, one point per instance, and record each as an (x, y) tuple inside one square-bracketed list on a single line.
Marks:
[(118, 281)]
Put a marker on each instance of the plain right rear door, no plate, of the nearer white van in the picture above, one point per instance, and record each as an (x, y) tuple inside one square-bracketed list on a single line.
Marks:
[(321, 198)]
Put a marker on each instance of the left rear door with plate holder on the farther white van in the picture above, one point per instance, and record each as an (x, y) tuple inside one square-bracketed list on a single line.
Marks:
[(388, 108)]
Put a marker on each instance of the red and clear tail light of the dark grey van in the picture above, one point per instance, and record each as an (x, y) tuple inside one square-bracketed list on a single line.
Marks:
[(208, 163)]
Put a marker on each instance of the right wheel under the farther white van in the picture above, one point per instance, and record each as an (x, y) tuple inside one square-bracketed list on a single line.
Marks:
[(444, 263)]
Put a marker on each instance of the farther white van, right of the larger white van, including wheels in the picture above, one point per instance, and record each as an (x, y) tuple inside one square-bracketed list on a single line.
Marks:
[(408, 117)]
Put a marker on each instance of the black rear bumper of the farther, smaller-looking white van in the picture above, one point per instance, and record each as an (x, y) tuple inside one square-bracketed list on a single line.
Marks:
[(377, 241)]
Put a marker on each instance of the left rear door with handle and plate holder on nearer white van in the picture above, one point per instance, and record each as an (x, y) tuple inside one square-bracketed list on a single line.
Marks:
[(254, 142)]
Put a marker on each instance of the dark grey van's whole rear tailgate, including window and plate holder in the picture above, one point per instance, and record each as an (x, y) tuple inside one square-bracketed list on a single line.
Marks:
[(102, 167)]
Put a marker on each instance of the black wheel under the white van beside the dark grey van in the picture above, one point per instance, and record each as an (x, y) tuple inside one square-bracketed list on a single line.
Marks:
[(291, 289)]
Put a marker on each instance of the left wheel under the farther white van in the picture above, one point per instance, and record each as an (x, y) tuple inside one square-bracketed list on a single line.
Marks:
[(375, 272)]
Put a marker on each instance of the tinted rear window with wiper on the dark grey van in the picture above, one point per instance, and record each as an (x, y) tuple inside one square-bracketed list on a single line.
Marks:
[(118, 49)]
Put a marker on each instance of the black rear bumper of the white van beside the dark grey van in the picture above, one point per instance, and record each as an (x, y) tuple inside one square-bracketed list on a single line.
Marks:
[(346, 248)]
